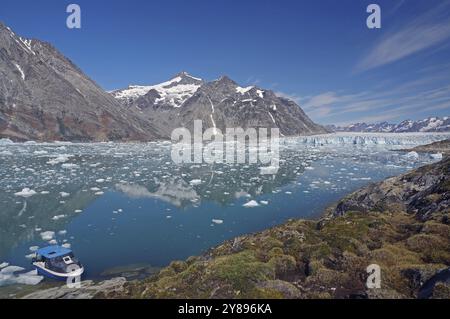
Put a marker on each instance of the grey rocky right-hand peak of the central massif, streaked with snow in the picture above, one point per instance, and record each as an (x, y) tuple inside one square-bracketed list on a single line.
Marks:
[(223, 104)]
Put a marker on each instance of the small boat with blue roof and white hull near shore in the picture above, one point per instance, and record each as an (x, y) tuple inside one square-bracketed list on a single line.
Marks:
[(57, 262)]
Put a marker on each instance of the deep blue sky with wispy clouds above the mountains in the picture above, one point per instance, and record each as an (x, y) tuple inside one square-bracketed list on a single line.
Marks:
[(319, 53)]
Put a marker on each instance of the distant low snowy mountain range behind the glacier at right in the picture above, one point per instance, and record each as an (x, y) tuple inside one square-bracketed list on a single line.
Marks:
[(432, 124)]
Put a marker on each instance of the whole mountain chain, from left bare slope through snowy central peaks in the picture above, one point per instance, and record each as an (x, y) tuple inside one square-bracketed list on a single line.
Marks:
[(45, 97)]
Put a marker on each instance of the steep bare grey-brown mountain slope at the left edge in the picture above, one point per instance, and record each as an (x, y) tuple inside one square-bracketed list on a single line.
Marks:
[(44, 97)]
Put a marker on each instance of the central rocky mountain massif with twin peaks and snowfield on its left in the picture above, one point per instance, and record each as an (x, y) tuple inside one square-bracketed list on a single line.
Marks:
[(219, 104)]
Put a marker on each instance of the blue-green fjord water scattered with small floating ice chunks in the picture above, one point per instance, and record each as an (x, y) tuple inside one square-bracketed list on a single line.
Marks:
[(122, 204)]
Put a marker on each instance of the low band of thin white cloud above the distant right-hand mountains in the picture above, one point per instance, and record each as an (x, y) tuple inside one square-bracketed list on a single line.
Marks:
[(391, 103)]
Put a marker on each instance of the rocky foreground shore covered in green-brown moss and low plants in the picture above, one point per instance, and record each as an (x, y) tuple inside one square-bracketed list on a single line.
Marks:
[(401, 224)]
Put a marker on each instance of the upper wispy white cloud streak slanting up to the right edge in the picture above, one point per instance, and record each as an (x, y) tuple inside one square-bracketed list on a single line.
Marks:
[(425, 31)]
